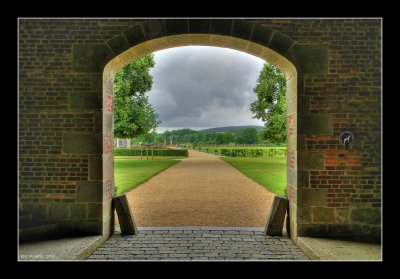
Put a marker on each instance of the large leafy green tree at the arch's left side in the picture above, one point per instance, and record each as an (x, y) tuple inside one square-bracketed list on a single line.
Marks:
[(133, 114)]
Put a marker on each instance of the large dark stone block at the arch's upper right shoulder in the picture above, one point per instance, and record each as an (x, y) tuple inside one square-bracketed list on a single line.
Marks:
[(311, 58)]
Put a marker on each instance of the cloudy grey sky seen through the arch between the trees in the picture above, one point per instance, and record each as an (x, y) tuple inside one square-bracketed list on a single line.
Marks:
[(203, 87)]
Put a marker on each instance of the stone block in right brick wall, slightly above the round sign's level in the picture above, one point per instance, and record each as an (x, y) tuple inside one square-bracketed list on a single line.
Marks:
[(315, 124)]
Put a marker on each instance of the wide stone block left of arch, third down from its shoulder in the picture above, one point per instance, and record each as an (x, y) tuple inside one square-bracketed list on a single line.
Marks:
[(82, 143)]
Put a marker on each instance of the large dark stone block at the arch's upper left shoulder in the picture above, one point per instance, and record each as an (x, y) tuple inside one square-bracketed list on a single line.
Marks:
[(90, 58)]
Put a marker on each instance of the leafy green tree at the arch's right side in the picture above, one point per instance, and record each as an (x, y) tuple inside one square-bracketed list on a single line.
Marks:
[(270, 106)]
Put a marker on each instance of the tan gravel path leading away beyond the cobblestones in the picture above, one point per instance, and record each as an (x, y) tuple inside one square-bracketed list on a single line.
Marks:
[(202, 190)]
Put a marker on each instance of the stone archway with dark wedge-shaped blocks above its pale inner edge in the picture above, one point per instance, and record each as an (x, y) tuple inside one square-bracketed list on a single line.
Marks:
[(154, 35)]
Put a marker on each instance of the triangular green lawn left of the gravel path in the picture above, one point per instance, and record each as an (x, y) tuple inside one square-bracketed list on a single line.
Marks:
[(130, 171)]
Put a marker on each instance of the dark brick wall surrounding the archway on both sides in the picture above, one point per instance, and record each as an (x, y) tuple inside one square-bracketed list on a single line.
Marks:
[(65, 154)]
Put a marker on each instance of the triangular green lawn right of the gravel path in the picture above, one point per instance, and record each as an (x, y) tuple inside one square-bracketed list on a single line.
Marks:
[(267, 171)]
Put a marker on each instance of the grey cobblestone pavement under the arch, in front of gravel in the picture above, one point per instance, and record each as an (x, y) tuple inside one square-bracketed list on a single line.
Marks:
[(198, 244)]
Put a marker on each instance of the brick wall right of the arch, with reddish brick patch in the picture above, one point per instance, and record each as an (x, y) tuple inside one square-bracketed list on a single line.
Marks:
[(348, 96)]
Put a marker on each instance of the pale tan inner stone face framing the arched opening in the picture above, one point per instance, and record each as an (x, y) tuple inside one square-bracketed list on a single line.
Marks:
[(192, 39)]
